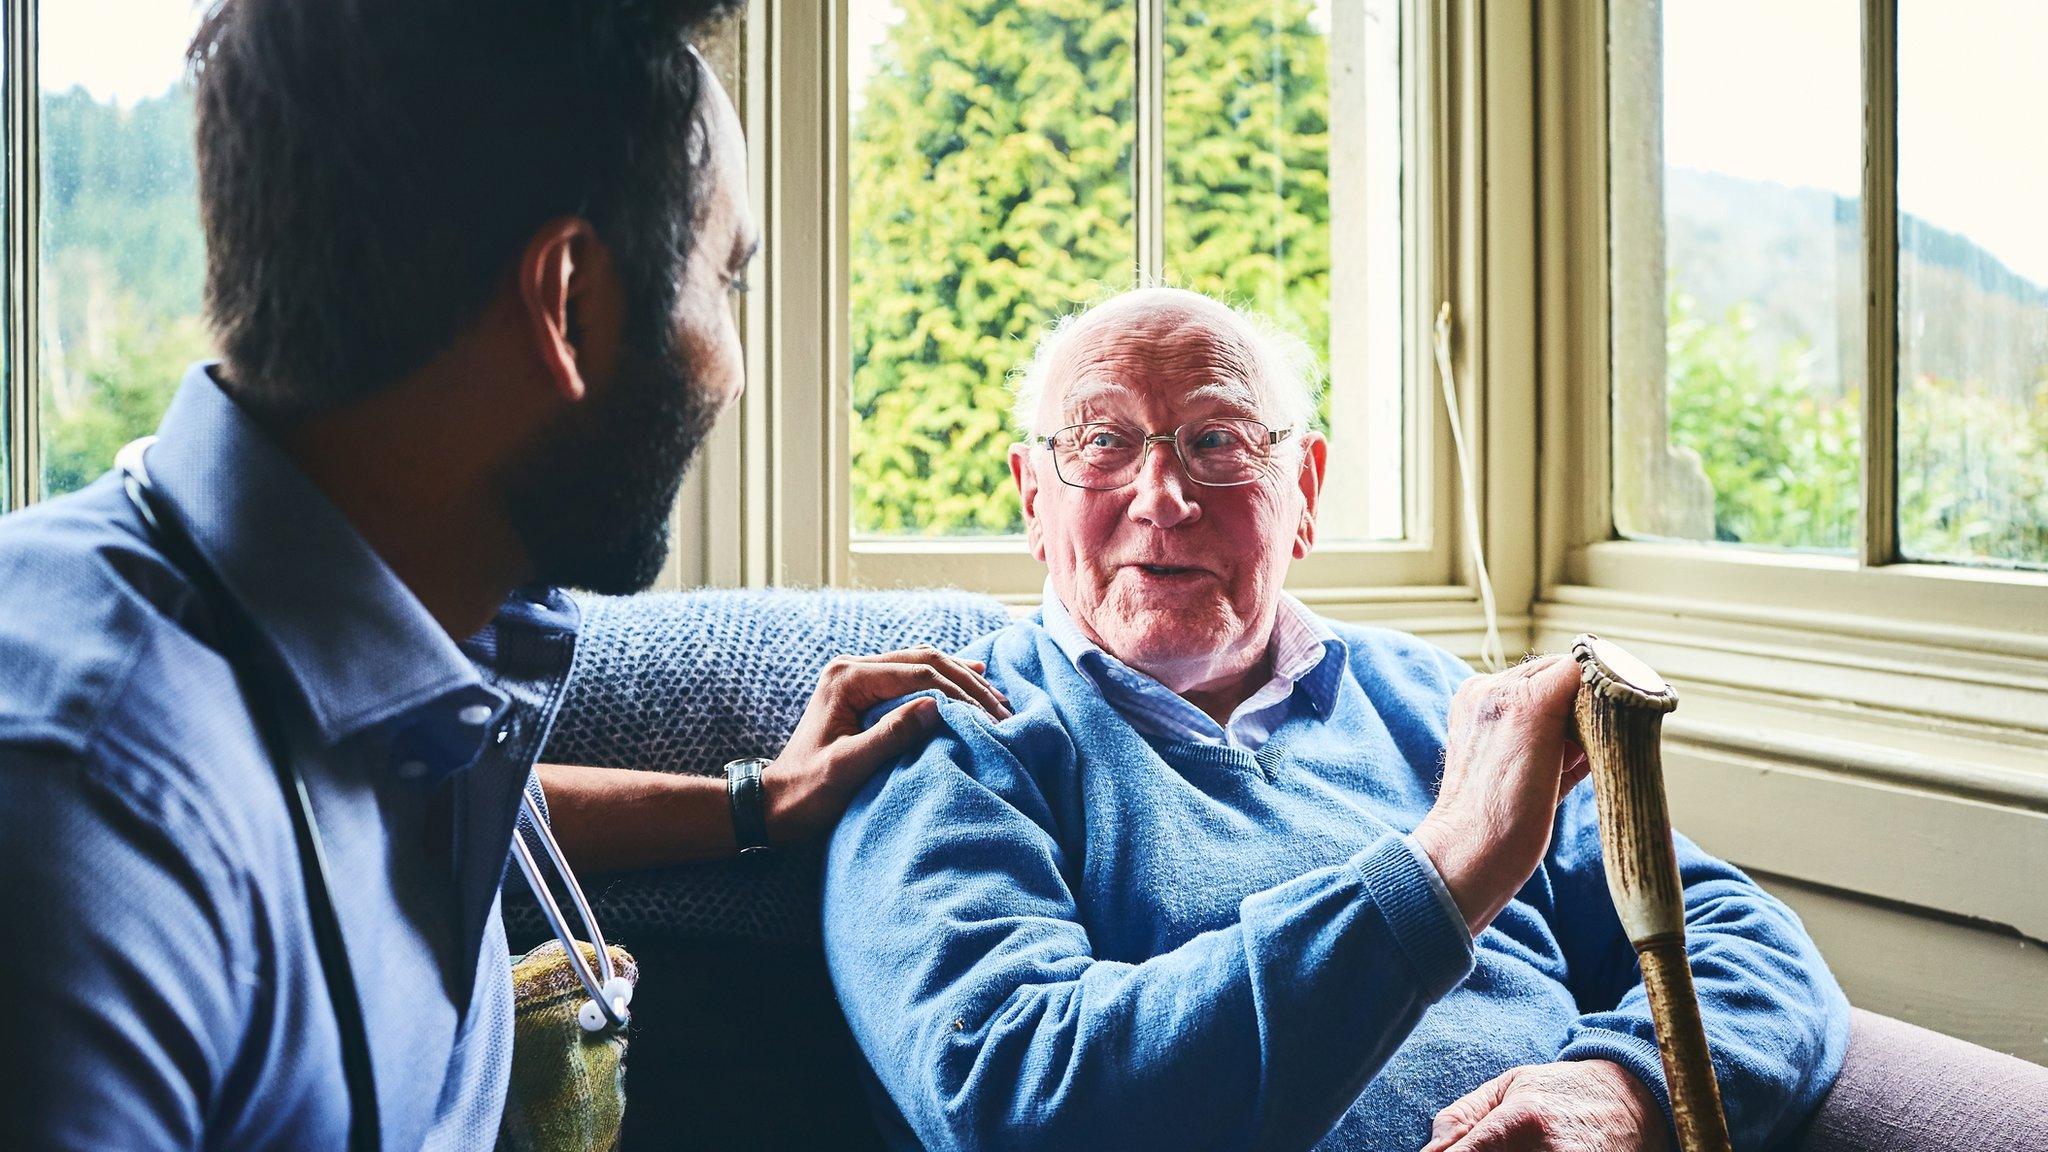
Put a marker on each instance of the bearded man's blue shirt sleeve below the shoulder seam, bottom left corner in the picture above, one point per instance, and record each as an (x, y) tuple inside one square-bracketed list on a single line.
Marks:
[(118, 979)]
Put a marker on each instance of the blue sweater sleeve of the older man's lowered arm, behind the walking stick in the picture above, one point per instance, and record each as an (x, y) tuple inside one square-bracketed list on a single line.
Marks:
[(1777, 1022)]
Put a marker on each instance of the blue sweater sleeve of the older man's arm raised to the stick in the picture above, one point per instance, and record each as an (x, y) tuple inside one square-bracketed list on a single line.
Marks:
[(966, 973)]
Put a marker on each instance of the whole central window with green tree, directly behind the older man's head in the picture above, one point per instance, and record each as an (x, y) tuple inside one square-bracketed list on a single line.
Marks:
[(1009, 163)]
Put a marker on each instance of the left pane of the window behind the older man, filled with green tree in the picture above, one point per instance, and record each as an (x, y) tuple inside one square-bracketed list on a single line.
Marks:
[(988, 194)]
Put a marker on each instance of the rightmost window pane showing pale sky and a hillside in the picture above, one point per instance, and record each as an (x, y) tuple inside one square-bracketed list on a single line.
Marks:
[(1973, 284)]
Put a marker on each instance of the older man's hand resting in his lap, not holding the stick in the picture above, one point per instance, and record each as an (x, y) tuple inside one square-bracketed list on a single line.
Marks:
[(1580, 1106)]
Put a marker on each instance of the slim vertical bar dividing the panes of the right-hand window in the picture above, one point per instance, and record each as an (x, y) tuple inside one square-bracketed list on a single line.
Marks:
[(1881, 284)]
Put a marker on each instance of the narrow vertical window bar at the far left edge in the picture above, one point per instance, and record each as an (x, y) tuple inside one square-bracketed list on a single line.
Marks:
[(24, 251)]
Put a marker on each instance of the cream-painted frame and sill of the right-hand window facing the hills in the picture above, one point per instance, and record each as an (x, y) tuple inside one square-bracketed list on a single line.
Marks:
[(1945, 632)]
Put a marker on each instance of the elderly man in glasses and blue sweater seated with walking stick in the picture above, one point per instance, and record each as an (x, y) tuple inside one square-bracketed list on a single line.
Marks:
[(1236, 876)]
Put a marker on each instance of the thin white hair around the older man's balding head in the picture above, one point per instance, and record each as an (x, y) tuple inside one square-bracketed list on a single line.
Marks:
[(1289, 372)]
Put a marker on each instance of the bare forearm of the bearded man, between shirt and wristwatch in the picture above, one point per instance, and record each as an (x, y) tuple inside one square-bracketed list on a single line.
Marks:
[(622, 819)]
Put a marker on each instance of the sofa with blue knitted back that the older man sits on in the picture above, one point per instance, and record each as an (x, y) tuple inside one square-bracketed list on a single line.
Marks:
[(736, 1038)]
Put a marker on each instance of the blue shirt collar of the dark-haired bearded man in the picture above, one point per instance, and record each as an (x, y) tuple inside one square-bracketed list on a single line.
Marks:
[(357, 645)]
